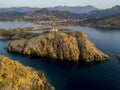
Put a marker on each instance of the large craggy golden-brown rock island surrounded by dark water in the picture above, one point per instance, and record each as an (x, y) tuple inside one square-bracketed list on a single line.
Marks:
[(59, 45)]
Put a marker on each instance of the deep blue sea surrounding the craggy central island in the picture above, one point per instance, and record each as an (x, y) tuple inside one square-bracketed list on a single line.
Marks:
[(73, 76)]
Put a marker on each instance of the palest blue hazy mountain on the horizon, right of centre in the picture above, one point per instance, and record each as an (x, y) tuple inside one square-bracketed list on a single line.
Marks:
[(75, 9)]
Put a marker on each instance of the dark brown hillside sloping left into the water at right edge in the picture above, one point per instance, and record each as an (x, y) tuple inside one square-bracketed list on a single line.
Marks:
[(108, 22)]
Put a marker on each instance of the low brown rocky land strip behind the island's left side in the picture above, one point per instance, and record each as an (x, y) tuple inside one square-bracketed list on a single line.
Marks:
[(24, 33)]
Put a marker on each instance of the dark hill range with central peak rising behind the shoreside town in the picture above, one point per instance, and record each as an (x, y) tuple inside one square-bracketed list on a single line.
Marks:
[(43, 14)]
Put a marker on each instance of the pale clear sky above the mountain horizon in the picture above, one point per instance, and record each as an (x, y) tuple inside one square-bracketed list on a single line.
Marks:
[(51, 3)]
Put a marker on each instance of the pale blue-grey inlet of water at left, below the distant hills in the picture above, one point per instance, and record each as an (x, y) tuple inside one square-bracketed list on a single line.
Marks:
[(9, 24)]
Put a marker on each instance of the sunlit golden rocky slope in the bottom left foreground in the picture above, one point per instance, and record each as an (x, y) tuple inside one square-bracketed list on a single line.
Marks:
[(15, 76)]
